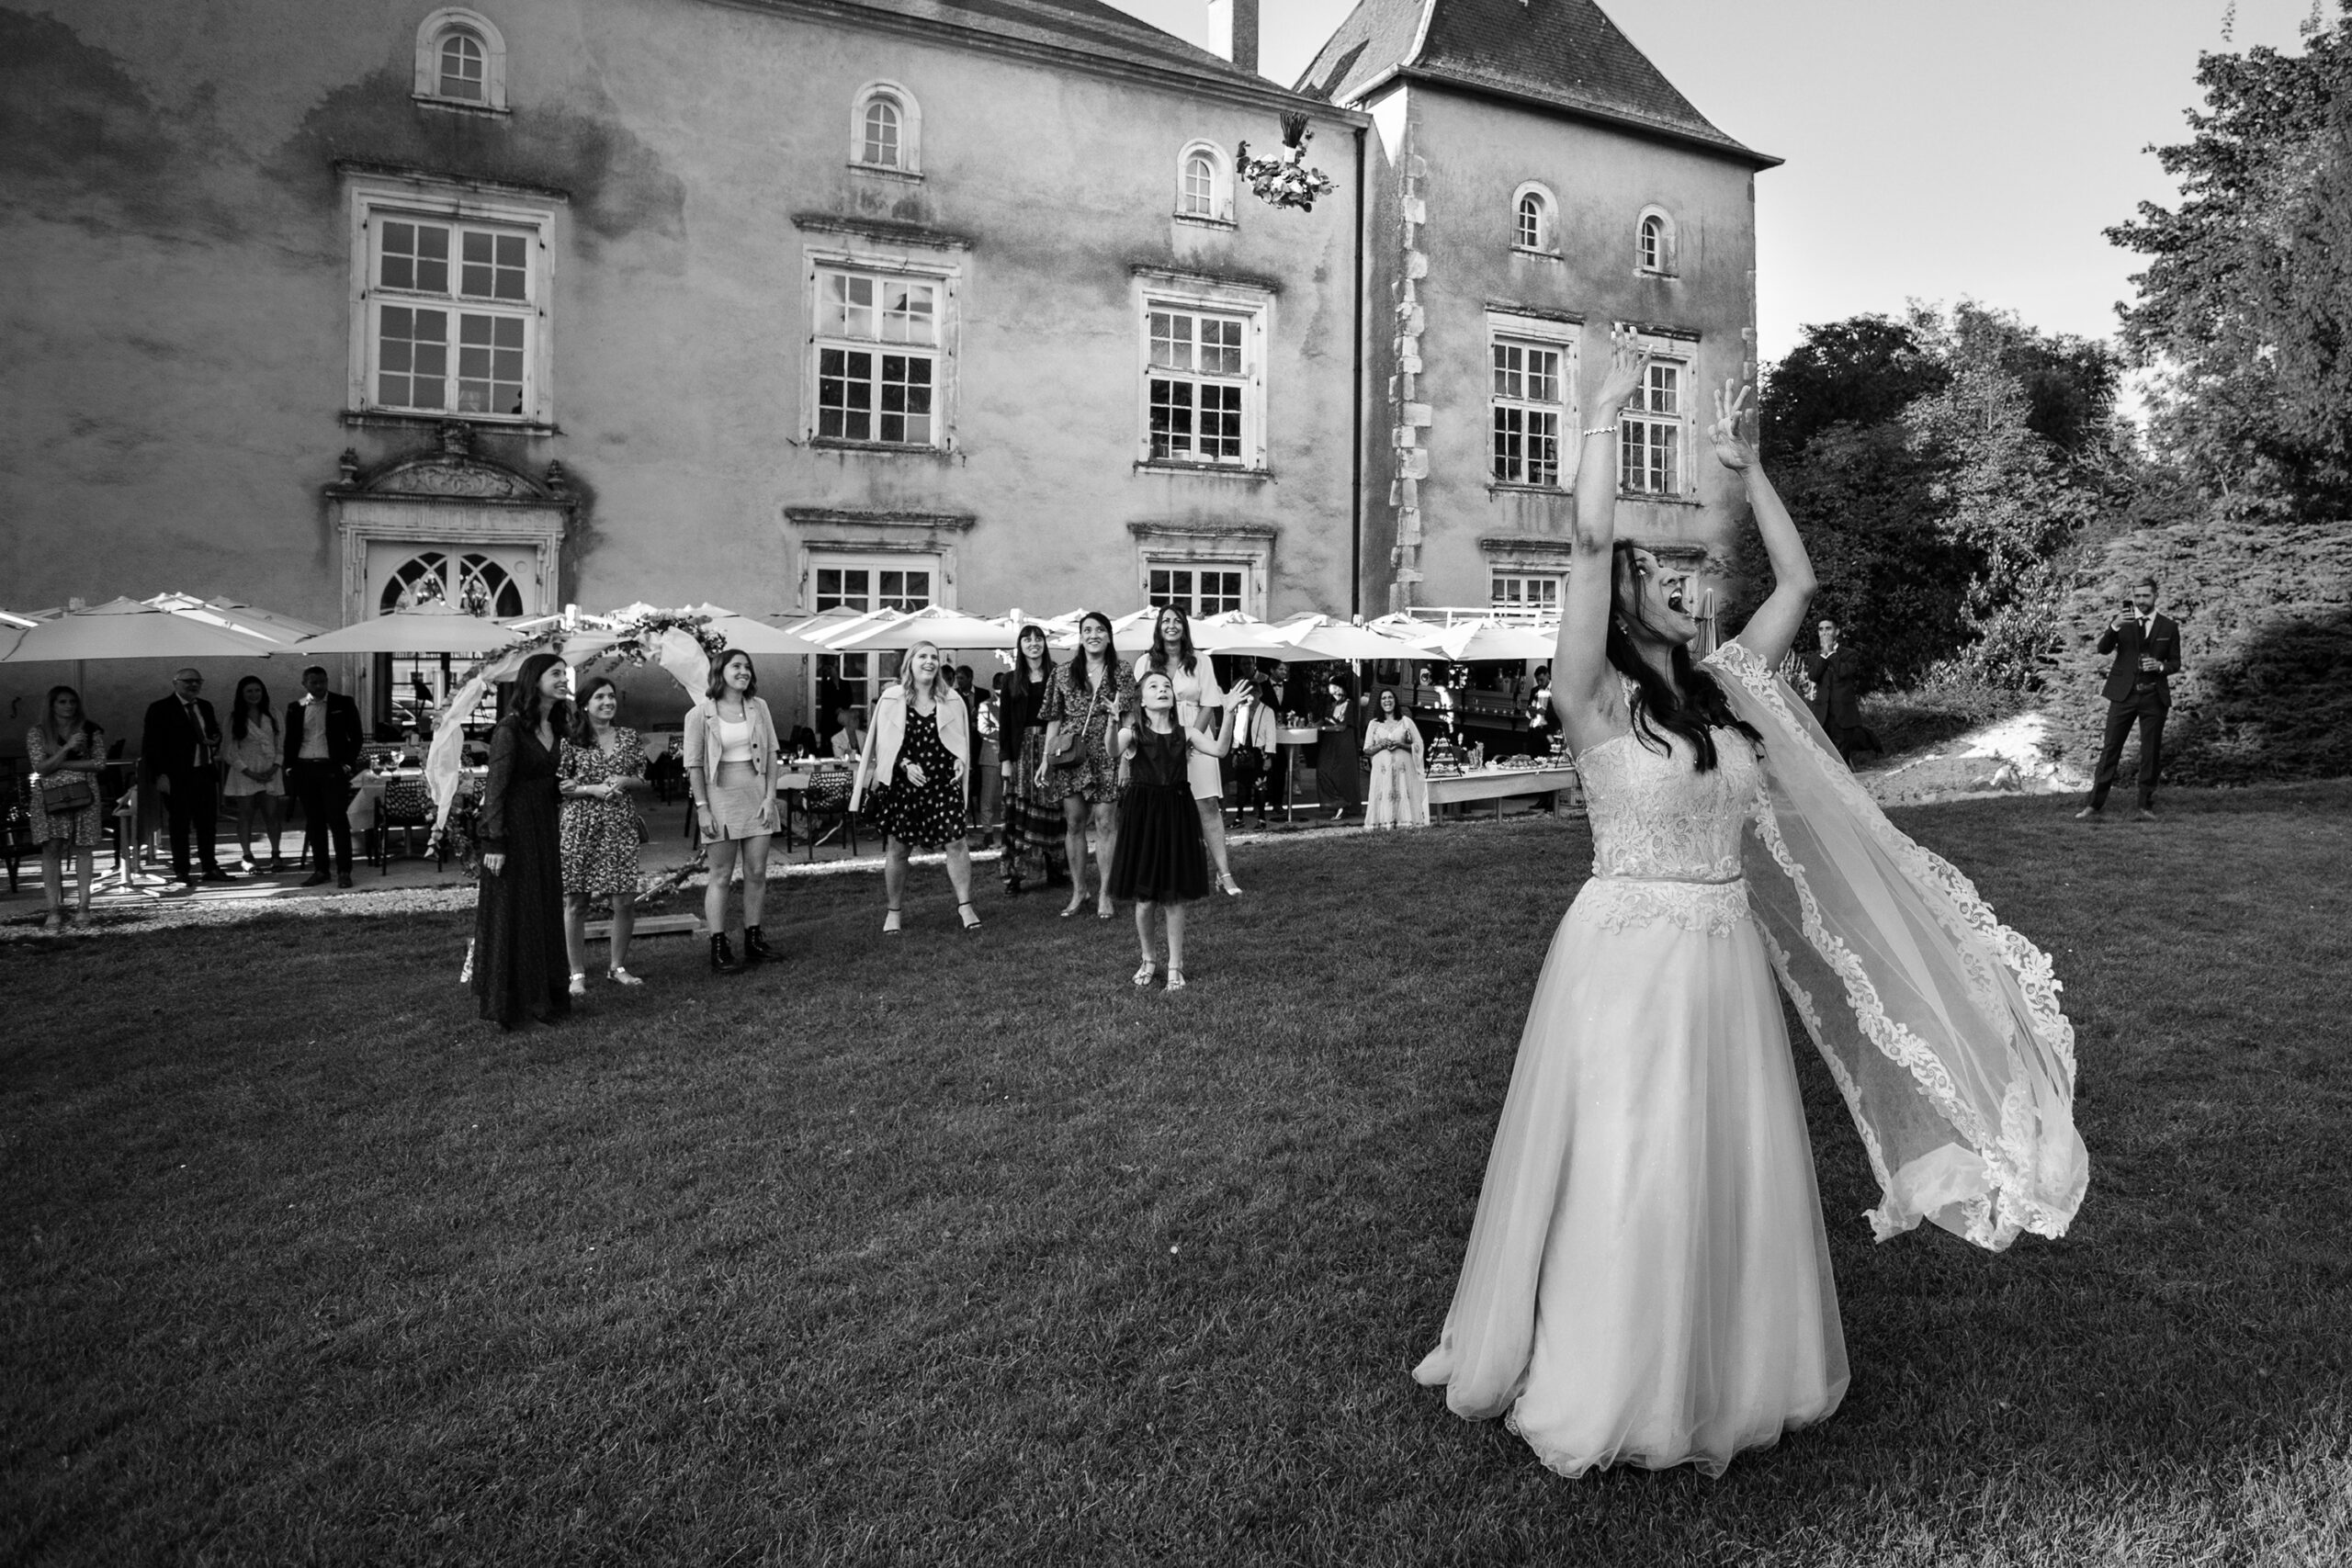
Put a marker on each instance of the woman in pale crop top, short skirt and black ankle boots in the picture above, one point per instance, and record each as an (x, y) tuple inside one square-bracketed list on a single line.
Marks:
[(733, 777)]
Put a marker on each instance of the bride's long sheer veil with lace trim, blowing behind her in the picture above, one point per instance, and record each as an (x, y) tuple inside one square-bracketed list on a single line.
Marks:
[(1939, 1024)]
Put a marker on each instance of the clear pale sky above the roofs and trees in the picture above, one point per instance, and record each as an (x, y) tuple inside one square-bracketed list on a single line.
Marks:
[(1937, 149)]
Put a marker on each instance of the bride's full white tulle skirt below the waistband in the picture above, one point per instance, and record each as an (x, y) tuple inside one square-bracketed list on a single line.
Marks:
[(1648, 1278)]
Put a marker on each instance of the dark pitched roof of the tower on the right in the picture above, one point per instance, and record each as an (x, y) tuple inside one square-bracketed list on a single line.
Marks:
[(1556, 53)]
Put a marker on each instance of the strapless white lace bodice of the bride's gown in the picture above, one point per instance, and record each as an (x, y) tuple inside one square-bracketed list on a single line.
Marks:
[(1659, 817)]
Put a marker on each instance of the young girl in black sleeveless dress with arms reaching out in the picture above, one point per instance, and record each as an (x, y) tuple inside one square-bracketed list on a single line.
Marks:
[(1161, 859)]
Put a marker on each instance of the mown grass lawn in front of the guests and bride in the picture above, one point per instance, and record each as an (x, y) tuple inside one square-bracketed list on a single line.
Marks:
[(965, 1252)]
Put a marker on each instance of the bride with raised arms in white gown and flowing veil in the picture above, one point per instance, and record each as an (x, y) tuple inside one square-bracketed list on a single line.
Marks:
[(1648, 1280)]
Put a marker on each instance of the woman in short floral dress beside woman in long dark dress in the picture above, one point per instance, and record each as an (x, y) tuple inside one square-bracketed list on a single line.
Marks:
[(599, 829)]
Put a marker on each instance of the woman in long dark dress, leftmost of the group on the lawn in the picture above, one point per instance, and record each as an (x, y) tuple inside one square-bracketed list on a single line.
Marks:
[(519, 925)]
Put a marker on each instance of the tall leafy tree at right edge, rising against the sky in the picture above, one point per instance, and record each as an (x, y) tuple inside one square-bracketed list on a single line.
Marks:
[(2245, 309)]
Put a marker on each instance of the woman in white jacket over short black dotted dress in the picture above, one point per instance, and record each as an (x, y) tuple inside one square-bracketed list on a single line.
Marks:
[(914, 779)]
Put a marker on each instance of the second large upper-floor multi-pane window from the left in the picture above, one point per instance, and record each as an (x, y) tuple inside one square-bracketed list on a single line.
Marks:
[(876, 359)]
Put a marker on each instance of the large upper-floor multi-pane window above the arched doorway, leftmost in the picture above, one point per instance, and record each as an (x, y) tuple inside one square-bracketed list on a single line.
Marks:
[(453, 316)]
